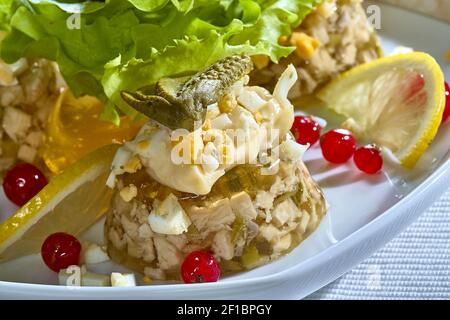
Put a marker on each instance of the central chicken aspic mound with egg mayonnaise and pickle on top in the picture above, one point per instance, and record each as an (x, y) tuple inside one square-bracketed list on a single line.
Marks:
[(234, 186)]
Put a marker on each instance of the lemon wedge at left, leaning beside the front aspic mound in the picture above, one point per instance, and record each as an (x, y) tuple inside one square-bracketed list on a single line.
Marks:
[(70, 203)]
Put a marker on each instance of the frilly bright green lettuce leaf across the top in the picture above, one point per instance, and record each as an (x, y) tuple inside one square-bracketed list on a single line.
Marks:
[(105, 47)]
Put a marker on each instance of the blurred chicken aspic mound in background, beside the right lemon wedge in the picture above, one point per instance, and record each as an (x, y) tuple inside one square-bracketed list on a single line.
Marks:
[(335, 37)]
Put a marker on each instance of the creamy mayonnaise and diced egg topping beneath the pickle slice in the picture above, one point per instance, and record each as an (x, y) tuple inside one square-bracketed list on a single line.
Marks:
[(254, 116)]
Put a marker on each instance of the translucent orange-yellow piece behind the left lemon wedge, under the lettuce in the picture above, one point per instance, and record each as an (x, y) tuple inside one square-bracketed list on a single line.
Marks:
[(74, 129)]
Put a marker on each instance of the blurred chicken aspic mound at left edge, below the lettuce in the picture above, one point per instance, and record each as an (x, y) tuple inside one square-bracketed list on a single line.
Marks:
[(28, 91)]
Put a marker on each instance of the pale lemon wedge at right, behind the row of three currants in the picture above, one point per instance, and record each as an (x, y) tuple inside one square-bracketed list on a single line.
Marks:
[(396, 102)]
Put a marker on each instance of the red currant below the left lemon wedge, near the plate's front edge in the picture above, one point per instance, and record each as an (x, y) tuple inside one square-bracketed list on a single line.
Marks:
[(61, 250)]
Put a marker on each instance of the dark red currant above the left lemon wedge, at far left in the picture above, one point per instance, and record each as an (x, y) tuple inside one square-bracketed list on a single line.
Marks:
[(23, 182)]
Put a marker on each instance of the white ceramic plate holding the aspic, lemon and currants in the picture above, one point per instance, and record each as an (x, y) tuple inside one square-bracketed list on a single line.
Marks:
[(366, 212)]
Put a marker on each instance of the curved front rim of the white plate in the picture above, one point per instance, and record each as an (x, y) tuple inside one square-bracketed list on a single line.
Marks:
[(366, 233)]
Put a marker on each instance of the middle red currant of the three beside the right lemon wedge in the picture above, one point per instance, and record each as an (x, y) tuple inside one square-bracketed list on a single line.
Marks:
[(338, 145)]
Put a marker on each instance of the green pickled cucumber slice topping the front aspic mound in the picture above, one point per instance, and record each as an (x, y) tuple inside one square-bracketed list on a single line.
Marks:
[(177, 103)]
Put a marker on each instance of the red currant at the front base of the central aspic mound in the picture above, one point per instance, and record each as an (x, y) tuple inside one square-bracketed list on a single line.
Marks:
[(200, 266)]
